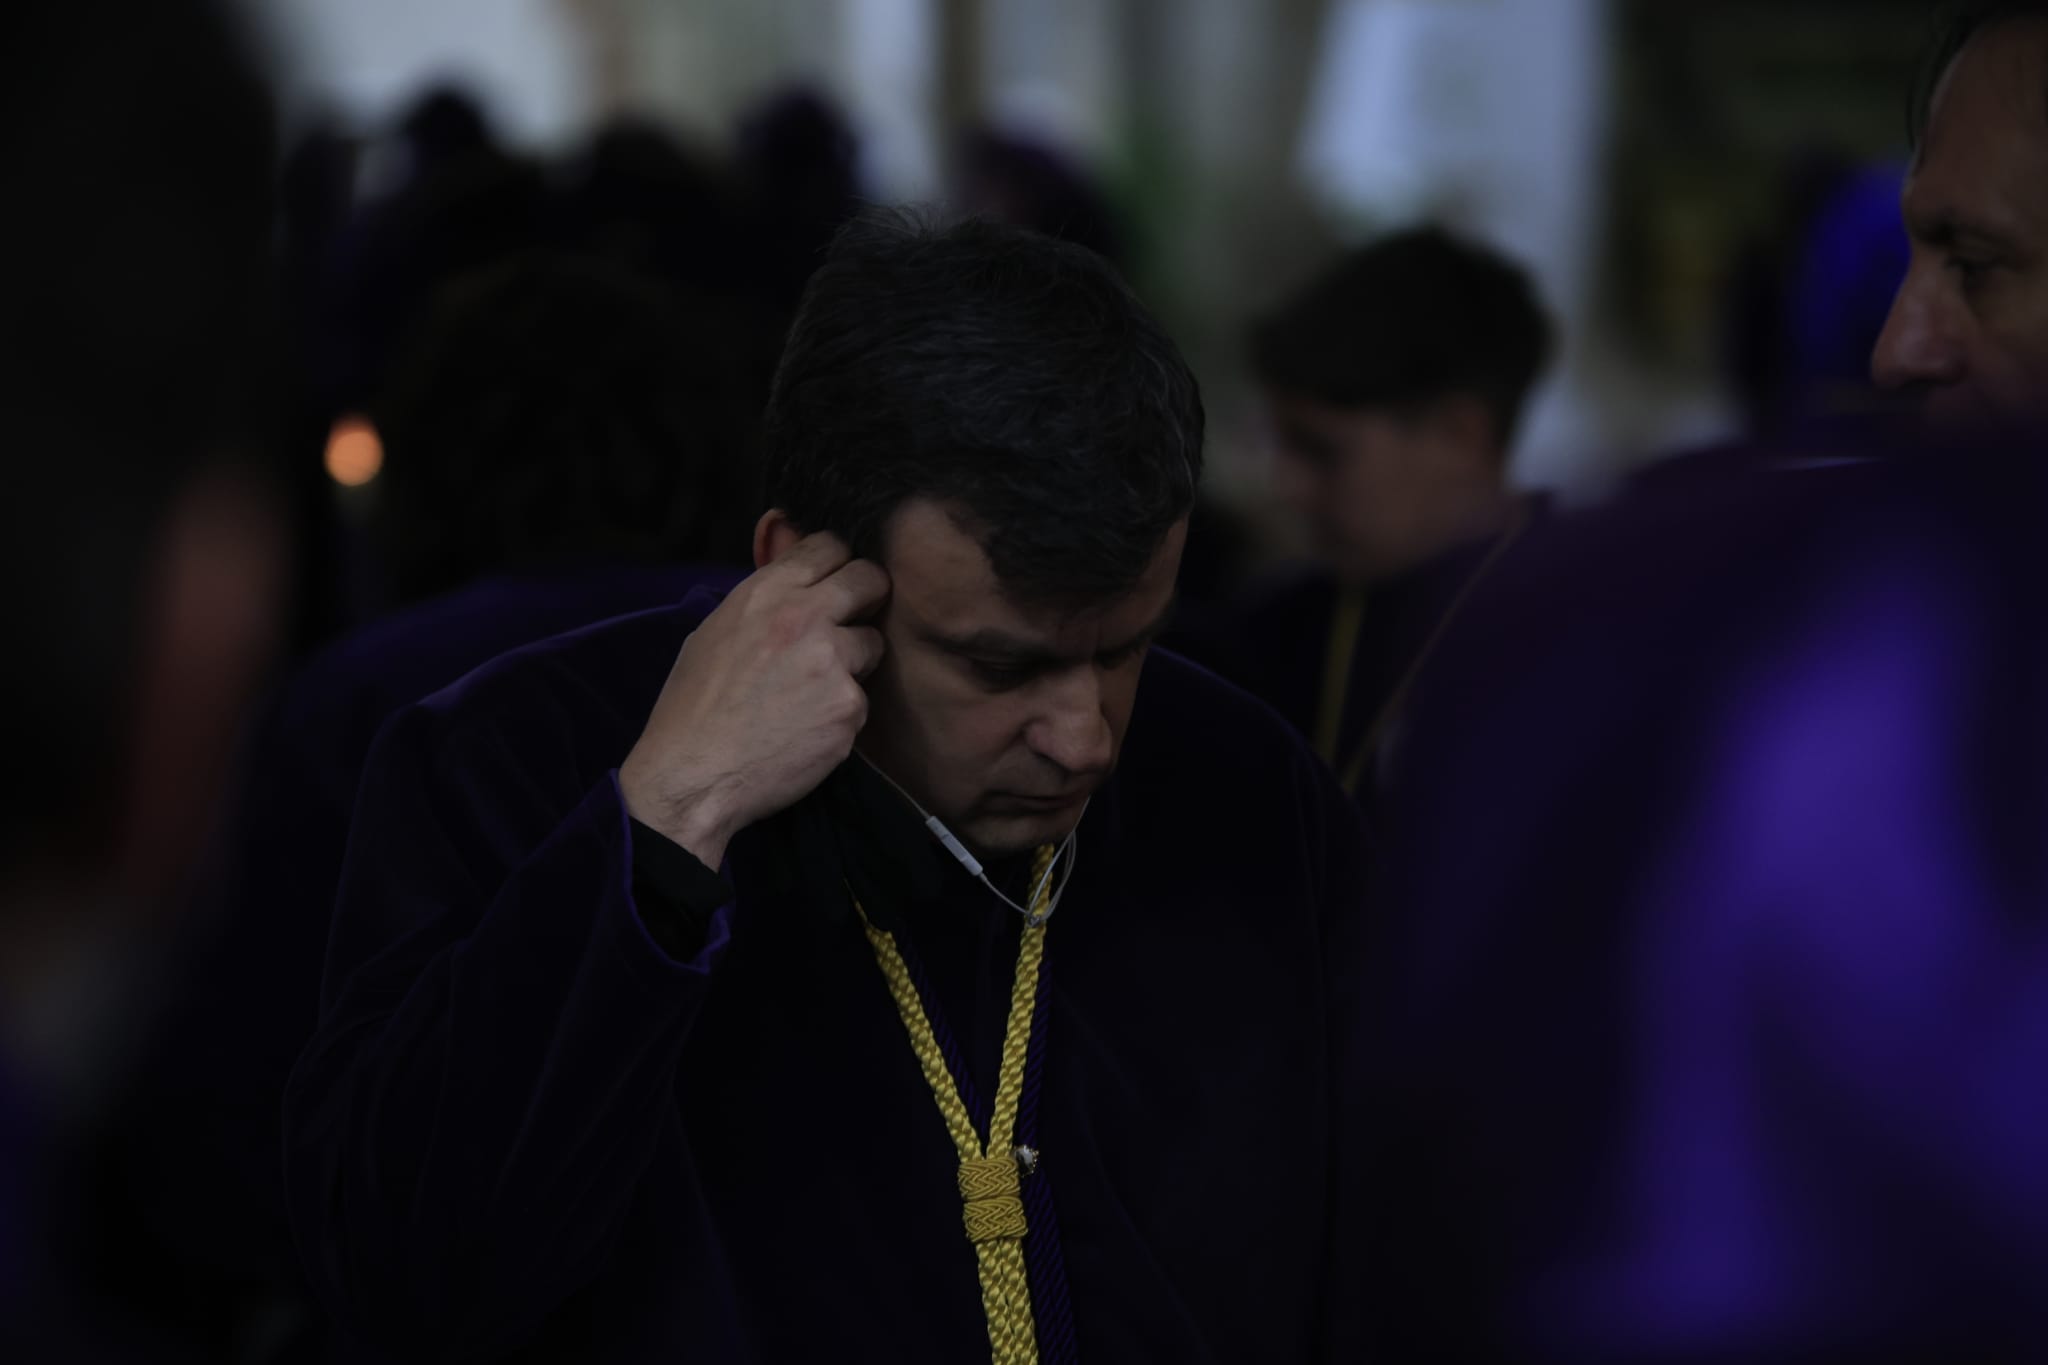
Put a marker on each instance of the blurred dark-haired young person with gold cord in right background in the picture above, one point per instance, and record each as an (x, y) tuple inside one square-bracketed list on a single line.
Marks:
[(1396, 384)]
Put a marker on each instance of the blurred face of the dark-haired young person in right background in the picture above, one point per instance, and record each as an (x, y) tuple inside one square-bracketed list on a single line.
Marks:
[(1385, 492)]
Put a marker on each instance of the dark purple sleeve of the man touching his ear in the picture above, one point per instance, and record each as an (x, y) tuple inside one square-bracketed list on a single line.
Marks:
[(497, 1051)]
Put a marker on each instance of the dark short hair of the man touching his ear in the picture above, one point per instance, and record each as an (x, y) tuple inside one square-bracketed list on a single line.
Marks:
[(1000, 373)]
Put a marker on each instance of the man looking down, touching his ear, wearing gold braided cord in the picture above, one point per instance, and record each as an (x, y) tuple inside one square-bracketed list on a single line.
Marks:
[(714, 1004)]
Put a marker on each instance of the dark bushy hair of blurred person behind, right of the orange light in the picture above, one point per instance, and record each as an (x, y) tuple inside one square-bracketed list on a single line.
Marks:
[(556, 410)]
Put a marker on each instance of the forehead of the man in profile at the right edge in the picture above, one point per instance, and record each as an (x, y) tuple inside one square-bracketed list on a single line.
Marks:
[(1986, 157)]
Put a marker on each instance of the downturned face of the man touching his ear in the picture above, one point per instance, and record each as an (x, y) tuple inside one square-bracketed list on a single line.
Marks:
[(998, 717)]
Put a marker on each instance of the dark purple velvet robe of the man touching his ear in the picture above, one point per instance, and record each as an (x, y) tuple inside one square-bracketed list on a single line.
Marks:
[(527, 1133)]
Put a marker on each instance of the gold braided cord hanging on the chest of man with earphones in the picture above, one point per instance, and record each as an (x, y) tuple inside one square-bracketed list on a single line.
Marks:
[(992, 1204)]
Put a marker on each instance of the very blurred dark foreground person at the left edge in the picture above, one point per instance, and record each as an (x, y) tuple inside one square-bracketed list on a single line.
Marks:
[(144, 554)]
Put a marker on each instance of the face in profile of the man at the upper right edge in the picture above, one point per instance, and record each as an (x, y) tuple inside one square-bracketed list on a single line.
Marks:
[(1969, 333)]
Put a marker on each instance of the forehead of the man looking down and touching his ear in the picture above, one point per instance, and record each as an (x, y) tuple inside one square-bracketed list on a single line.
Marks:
[(943, 582)]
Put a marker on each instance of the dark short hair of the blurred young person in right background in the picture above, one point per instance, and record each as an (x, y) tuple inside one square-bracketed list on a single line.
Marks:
[(1406, 322)]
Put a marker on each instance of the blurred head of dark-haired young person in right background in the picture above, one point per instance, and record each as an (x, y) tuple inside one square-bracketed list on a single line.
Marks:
[(1396, 382)]
